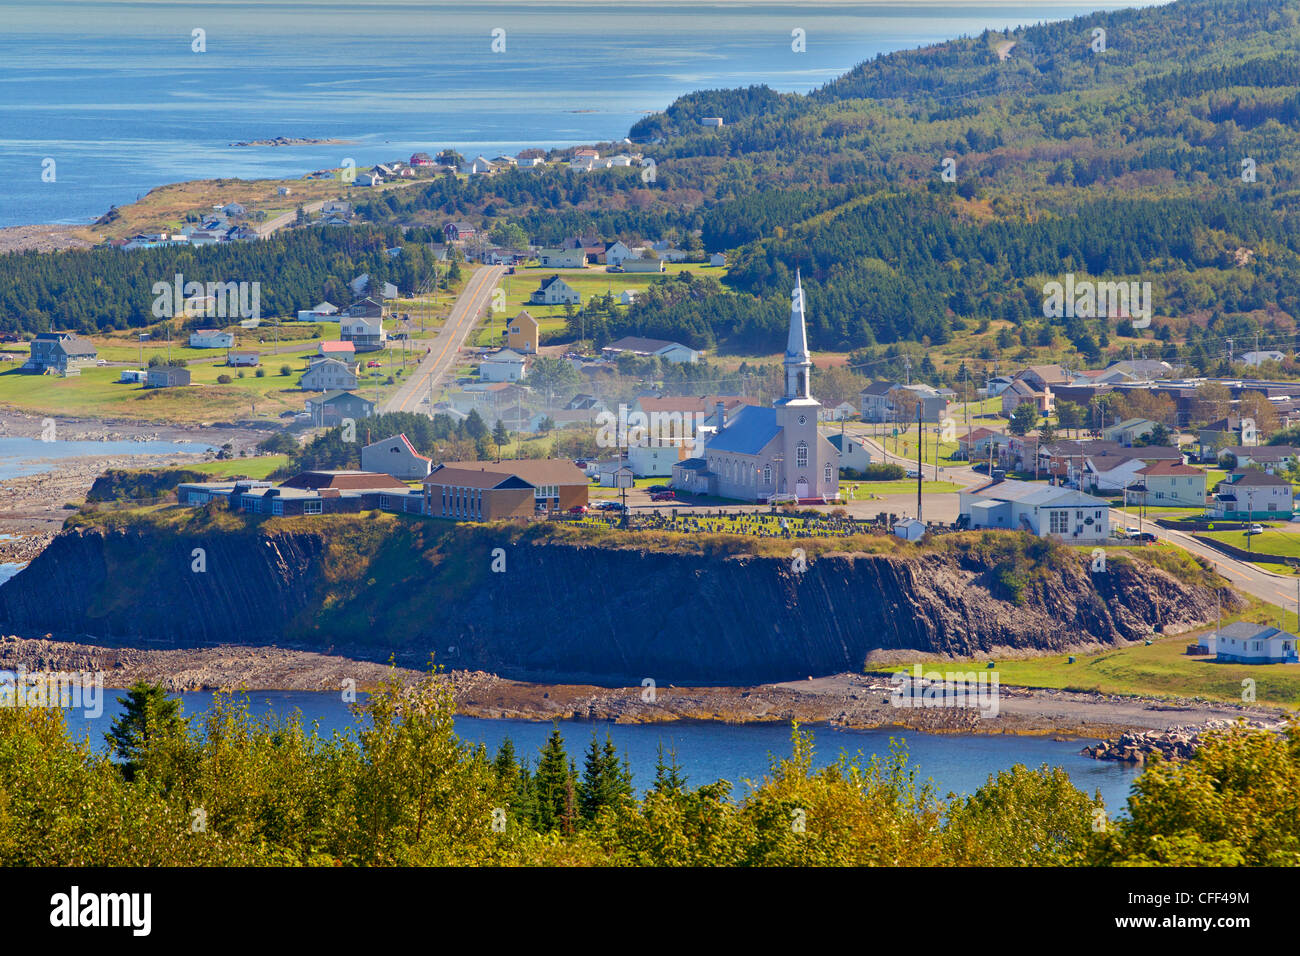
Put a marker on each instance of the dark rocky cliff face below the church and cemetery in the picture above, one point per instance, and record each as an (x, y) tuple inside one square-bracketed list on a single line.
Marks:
[(573, 613)]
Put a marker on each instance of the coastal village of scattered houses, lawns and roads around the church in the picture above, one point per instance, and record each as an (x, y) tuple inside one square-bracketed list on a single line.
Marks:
[(635, 432)]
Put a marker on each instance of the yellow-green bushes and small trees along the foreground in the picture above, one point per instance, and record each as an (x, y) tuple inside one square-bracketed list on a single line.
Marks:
[(404, 790)]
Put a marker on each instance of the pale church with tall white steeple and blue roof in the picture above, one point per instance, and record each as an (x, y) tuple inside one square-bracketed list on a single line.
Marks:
[(770, 455)]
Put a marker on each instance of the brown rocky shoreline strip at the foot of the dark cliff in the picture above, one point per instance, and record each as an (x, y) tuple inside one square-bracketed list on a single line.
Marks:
[(851, 702)]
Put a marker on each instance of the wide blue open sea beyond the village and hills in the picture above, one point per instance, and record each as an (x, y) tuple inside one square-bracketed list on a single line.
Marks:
[(112, 92)]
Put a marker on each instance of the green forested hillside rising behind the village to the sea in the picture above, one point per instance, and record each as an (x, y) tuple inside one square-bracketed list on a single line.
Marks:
[(924, 194)]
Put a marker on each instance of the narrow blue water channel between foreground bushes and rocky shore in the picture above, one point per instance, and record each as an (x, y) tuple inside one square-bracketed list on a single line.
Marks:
[(712, 751)]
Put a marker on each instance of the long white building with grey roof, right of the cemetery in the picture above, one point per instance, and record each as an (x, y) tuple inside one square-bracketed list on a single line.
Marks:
[(1043, 511)]
